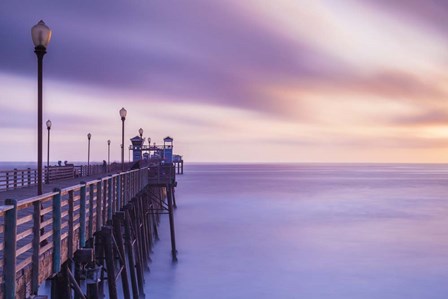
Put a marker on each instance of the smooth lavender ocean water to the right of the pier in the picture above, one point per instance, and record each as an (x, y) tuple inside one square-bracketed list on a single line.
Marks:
[(307, 231)]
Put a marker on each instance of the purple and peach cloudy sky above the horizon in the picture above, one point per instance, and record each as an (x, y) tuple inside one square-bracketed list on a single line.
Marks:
[(230, 80)]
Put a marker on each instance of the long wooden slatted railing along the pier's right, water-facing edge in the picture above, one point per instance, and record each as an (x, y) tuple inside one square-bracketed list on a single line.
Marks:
[(38, 234)]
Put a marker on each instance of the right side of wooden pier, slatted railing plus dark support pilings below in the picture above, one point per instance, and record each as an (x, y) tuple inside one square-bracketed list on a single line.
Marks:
[(81, 235)]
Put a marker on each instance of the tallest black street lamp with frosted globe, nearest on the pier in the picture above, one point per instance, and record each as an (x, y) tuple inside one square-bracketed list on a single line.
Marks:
[(41, 35)]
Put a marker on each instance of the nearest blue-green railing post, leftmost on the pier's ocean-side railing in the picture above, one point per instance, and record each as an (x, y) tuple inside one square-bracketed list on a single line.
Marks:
[(9, 254)]
